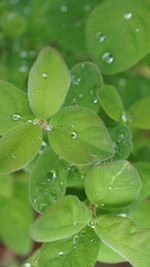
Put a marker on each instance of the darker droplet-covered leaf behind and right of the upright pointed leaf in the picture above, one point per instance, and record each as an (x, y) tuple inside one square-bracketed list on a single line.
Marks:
[(86, 81)]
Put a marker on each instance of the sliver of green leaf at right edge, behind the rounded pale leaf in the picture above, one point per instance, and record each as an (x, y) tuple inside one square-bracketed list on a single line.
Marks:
[(144, 171)]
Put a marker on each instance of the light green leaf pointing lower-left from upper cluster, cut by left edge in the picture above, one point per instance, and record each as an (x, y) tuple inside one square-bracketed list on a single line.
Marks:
[(18, 147)]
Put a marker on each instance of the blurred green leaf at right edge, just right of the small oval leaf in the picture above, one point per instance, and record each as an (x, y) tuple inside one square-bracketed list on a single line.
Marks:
[(140, 113)]
